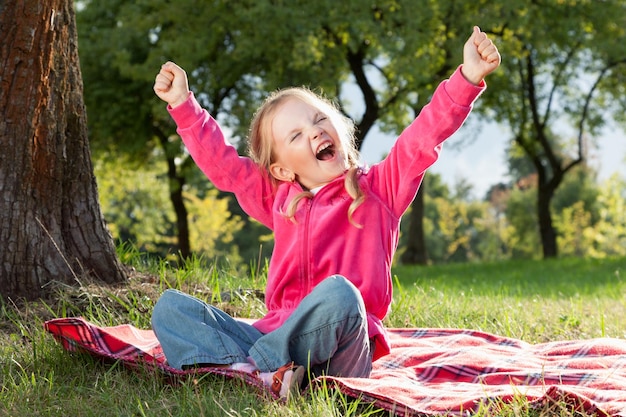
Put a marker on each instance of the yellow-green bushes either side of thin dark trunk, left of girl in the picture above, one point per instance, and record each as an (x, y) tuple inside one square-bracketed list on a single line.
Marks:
[(135, 205)]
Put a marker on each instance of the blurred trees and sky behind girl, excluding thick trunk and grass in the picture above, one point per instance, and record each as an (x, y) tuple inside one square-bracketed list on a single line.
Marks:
[(481, 199)]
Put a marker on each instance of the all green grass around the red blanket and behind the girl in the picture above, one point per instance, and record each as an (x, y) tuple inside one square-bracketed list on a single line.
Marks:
[(533, 300)]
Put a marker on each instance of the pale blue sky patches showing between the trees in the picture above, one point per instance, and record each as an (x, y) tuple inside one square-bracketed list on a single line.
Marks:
[(478, 152)]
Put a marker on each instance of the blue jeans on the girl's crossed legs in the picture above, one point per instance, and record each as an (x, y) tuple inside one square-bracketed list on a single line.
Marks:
[(327, 333)]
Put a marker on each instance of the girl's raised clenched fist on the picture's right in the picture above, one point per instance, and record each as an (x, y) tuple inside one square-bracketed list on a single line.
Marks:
[(480, 57)]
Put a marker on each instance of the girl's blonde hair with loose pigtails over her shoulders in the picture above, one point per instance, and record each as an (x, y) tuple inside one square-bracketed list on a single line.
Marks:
[(260, 141)]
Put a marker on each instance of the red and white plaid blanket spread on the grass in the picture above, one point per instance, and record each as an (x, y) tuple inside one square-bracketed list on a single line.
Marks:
[(429, 371)]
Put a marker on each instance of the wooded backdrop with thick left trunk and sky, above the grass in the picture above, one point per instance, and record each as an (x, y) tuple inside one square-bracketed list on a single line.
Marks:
[(521, 179)]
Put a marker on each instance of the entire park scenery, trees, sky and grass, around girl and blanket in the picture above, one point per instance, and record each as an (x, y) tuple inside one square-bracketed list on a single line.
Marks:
[(558, 99)]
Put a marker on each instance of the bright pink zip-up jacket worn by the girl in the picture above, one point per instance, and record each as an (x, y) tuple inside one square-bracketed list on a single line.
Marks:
[(322, 241)]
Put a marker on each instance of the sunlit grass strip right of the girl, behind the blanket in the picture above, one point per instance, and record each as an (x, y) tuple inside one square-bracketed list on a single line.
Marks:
[(536, 301)]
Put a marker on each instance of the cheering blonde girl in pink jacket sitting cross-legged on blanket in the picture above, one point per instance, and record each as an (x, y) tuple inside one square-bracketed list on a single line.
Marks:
[(335, 226)]
